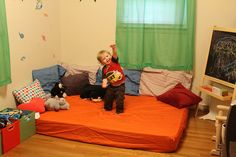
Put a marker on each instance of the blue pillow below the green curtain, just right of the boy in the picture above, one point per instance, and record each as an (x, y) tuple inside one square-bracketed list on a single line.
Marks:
[(132, 81)]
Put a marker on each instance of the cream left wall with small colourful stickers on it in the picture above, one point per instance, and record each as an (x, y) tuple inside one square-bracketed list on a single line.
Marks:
[(30, 52)]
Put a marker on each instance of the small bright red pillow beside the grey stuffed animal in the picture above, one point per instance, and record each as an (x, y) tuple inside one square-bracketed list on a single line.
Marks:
[(36, 105)]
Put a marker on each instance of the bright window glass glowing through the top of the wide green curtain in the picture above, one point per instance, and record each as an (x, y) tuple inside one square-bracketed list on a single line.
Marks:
[(155, 12)]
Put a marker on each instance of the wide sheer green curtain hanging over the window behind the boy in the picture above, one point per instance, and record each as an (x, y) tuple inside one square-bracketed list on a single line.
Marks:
[(156, 33)]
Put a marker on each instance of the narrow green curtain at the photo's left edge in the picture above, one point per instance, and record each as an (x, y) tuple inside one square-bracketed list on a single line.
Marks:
[(5, 73)]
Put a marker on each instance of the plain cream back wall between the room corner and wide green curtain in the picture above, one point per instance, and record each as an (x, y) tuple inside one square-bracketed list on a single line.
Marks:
[(86, 28)]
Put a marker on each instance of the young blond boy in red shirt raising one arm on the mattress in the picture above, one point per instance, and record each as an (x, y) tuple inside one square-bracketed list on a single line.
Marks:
[(113, 80)]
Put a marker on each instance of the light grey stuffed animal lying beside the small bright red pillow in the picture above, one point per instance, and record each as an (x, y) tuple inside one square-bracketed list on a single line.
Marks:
[(56, 104)]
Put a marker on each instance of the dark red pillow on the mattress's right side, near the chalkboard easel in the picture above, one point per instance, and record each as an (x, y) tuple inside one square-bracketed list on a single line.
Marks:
[(179, 97)]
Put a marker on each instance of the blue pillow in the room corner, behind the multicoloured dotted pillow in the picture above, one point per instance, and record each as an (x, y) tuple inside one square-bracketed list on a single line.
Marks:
[(49, 76)]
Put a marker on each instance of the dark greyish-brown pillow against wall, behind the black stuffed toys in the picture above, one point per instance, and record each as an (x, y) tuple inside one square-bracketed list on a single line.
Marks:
[(74, 84)]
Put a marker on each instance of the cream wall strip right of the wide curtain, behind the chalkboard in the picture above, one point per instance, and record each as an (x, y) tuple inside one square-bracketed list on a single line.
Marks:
[(210, 13)]
